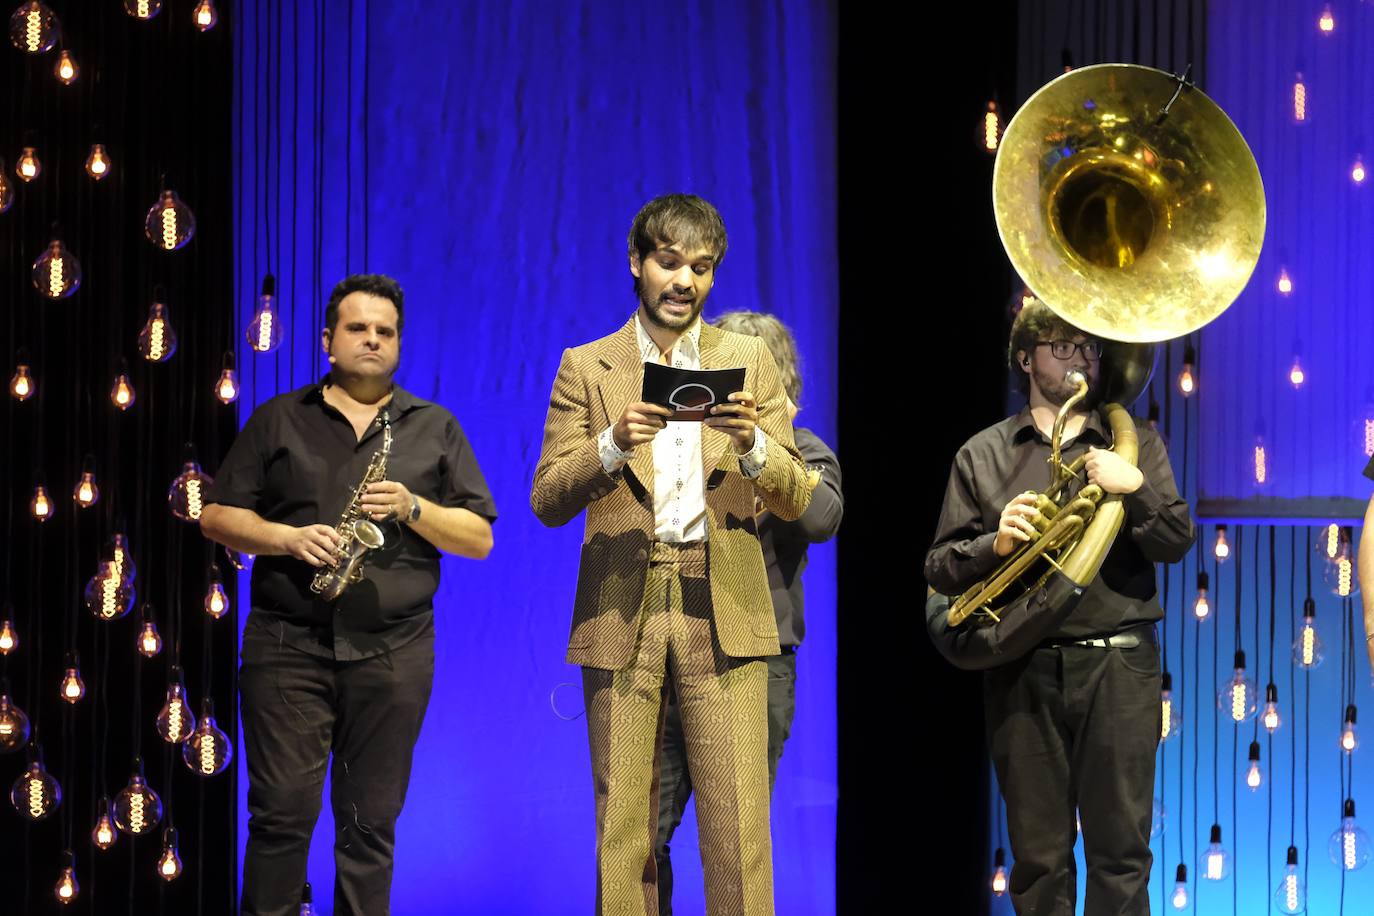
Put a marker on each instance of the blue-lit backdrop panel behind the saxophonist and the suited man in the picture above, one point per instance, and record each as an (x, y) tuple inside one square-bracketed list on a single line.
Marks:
[(491, 159)]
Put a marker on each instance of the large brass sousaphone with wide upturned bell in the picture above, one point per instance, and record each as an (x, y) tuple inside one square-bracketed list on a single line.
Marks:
[(1133, 208)]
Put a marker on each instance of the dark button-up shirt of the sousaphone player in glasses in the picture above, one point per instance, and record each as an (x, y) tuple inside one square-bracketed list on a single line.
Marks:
[(1011, 458)]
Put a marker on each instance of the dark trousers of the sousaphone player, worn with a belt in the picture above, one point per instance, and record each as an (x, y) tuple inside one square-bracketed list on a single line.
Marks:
[(1077, 729)]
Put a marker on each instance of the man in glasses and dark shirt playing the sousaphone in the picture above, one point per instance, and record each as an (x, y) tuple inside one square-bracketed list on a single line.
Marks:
[(1074, 723)]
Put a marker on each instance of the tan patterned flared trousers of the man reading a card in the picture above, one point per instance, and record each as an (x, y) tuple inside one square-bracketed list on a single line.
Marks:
[(723, 705)]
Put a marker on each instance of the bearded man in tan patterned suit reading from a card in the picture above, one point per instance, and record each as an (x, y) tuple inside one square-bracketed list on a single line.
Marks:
[(673, 591)]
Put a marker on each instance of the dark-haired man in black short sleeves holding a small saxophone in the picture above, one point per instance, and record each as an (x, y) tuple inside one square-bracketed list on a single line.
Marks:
[(348, 678)]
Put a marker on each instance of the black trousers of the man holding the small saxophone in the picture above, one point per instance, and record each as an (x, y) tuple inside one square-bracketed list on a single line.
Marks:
[(297, 711)]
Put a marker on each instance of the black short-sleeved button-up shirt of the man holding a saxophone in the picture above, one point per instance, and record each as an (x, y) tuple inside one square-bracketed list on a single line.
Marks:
[(299, 462)]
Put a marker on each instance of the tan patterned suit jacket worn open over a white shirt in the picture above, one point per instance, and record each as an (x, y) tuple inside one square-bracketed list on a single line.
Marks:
[(594, 385)]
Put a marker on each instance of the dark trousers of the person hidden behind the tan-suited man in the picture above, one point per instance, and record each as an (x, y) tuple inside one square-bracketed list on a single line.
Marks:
[(675, 779)]
